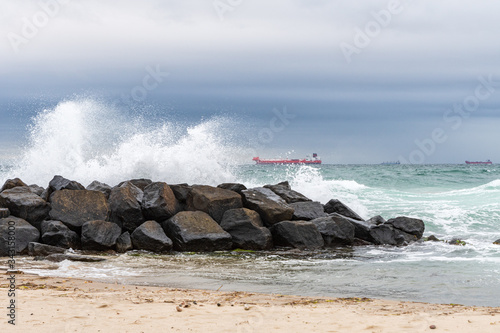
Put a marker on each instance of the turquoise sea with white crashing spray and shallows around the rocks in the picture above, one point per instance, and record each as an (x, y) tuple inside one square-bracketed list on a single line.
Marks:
[(87, 140)]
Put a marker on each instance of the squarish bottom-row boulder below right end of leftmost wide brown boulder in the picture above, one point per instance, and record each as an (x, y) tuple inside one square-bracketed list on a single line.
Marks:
[(99, 235)]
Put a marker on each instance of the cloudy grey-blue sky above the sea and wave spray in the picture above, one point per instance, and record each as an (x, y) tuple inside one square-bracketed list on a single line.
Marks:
[(355, 81)]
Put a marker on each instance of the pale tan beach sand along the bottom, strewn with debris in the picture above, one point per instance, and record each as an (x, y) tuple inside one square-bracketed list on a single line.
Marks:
[(73, 305)]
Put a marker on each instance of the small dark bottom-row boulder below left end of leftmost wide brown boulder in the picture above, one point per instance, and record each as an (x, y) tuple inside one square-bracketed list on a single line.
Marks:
[(58, 234)]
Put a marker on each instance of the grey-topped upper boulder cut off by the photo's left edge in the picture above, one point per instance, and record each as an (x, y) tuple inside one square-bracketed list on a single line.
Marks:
[(25, 204)]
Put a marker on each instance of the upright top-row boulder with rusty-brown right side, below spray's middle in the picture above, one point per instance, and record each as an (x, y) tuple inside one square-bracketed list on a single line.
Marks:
[(159, 202)]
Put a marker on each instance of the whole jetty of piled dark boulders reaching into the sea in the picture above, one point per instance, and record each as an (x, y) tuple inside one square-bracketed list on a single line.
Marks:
[(154, 216)]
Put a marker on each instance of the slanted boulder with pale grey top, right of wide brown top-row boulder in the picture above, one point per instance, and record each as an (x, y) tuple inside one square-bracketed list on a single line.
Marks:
[(271, 208)]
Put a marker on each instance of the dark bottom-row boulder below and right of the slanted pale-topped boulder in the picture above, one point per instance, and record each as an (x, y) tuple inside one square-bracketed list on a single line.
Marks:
[(297, 234)]
